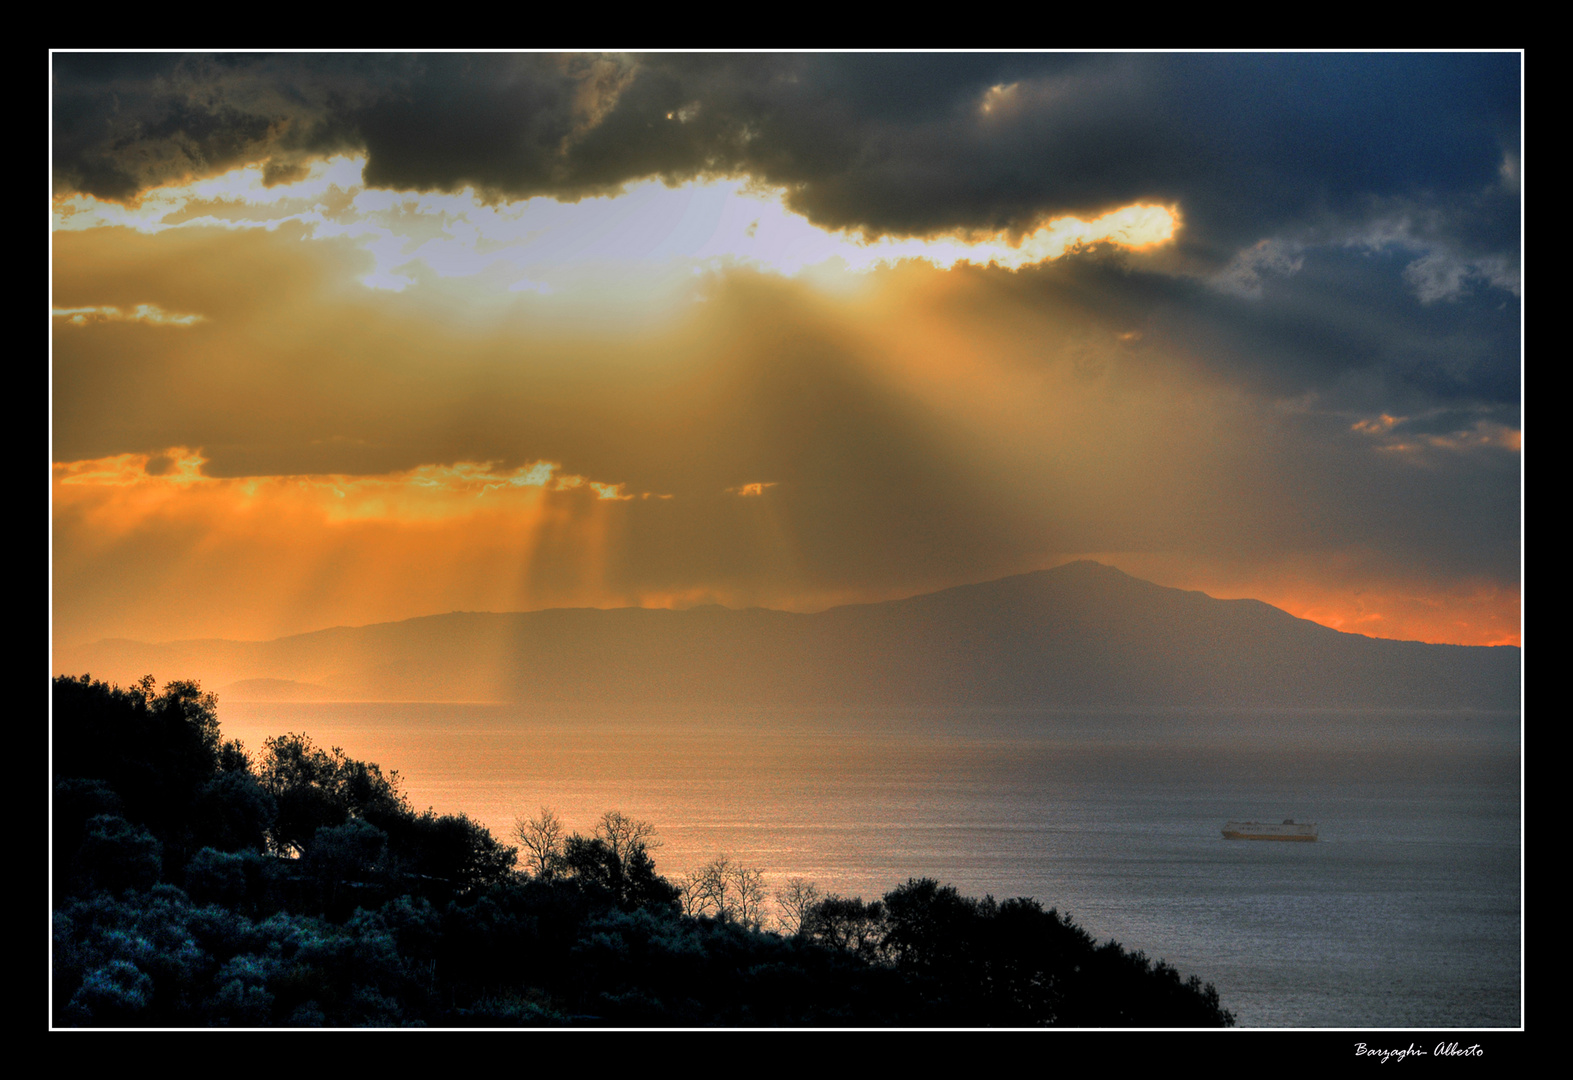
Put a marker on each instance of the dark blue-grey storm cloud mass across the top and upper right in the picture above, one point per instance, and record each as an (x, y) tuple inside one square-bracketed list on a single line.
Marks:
[(1350, 222)]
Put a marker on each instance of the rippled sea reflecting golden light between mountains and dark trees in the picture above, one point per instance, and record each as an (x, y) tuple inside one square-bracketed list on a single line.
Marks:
[(1405, 914)]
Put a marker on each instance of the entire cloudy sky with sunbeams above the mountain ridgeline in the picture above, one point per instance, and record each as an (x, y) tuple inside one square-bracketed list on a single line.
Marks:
[(344, 339)]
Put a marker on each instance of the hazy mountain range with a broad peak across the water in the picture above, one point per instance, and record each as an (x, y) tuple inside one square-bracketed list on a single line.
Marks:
[(1078, 636)]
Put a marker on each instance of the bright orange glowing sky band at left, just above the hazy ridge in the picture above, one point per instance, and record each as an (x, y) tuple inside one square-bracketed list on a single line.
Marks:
[(285, 554)]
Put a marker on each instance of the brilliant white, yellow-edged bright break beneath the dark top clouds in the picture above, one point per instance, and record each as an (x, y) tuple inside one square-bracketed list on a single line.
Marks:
[(542, 246)]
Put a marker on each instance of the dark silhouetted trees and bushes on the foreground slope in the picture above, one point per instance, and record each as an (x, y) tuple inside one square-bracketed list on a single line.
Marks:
[(199, 887)]
